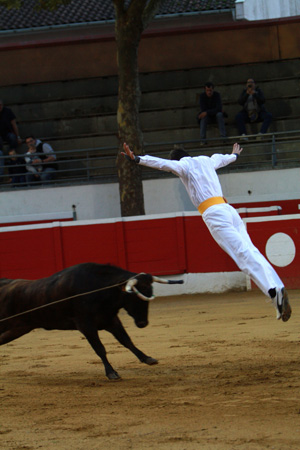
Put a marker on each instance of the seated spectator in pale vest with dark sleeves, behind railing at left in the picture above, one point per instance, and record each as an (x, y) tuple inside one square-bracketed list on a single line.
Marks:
[(40, 161)]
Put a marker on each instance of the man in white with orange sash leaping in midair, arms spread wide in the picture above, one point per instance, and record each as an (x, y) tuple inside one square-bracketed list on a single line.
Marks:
[(198, 174)]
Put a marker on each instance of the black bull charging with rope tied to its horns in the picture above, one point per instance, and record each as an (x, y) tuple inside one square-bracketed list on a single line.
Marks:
[(115, 289)]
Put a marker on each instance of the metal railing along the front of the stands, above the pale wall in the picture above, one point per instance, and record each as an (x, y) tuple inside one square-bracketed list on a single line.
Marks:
[(98, 165)]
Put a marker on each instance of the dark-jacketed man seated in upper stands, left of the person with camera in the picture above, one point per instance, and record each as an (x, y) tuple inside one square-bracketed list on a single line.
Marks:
[(211, 111)]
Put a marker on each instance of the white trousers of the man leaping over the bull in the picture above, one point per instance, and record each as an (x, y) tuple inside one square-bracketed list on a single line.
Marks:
[(229, 231)]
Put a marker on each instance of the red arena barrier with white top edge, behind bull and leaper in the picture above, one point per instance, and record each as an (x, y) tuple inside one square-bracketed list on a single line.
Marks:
[(161, 245)]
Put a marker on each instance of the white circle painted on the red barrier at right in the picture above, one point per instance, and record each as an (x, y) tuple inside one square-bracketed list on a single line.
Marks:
[(280, 249)]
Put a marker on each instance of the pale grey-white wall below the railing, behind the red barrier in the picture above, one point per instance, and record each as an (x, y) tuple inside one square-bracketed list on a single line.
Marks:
[(161, 196)]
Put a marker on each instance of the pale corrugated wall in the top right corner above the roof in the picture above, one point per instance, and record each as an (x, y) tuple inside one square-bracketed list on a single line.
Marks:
[(266, 9)]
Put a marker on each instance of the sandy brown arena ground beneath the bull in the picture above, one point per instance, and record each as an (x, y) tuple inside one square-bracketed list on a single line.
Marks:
[(228, 378)]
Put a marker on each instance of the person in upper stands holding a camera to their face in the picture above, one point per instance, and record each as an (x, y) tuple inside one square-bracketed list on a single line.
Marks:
[(252, 99)]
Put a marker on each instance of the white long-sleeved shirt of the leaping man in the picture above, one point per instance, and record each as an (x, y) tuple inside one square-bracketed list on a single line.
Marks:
[(198, 174)]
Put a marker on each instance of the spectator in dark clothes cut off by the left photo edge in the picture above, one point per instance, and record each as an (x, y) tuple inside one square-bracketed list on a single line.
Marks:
[(8, 128)]
